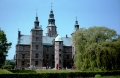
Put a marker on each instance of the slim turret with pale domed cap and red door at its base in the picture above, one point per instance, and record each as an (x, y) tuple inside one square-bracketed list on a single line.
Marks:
[(58, 52)]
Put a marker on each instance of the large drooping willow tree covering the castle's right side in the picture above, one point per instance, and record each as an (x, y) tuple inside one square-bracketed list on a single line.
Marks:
[(97, 48)]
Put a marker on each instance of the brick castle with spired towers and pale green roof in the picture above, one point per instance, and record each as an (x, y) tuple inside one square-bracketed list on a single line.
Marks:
[(40, 51)]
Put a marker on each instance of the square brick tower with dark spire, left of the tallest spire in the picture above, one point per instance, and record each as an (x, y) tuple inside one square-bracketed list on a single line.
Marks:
[(36, 52)]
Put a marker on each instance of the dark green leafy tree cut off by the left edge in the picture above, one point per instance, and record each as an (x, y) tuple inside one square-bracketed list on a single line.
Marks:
[(4, 47)]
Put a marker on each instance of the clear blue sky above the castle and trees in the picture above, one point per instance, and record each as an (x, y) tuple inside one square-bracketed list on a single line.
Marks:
[(20, 14)]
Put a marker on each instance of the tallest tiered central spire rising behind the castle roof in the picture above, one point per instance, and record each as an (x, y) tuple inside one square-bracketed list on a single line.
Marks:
[(51, 28)]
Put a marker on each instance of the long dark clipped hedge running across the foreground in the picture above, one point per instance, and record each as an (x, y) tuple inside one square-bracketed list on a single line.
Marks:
[(59, 75)]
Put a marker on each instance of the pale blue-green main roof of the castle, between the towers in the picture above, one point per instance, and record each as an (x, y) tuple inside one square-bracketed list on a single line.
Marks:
[(26, 40)]
